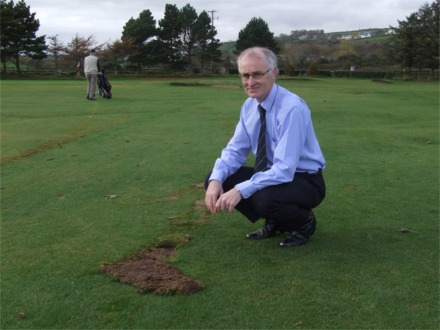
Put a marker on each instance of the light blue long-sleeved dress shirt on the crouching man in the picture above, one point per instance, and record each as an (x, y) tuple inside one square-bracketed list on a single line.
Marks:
[(291, 142)]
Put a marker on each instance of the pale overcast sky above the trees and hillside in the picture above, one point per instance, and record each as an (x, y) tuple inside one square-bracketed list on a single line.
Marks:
[(105, 19)]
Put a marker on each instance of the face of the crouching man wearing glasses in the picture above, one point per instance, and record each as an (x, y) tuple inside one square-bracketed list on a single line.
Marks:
[(257, 77)]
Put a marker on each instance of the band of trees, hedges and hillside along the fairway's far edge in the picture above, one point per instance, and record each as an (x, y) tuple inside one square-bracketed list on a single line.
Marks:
[(186, 41)]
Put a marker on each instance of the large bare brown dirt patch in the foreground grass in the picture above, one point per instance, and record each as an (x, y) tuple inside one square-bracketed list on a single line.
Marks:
[(148, 273)]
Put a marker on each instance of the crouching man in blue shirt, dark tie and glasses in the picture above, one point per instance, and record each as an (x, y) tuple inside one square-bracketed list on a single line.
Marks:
[(286, 182)]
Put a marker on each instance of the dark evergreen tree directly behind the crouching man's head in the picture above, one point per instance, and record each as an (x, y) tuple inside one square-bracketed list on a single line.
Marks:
[(256, 33)]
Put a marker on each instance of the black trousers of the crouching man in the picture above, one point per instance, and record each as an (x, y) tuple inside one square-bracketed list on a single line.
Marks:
[(287, 204)]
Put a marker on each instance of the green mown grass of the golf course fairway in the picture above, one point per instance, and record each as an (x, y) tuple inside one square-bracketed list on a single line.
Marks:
[(151, 145)]
